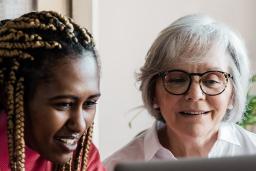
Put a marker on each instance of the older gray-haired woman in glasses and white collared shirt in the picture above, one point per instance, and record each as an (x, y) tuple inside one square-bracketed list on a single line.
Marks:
[(194, 82)]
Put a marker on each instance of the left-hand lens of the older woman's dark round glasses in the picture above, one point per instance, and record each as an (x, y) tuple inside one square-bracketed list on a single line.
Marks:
[(176, 82)]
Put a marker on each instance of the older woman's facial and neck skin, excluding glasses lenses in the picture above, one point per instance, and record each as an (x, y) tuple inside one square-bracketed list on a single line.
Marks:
[(193, 135)]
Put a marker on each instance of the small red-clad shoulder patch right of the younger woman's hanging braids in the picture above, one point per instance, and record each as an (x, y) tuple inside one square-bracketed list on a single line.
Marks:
[(94, 162)]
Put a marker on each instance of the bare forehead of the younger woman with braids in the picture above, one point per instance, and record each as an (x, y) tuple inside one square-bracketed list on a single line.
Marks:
[(77, 76)]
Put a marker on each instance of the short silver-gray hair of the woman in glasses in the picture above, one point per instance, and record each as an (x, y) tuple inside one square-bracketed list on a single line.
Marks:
[(196, 35)]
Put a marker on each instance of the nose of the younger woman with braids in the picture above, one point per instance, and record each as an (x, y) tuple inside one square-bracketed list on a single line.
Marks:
[(77, 122)]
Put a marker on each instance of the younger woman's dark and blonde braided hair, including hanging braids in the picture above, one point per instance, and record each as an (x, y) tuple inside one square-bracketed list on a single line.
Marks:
[(17, 38)]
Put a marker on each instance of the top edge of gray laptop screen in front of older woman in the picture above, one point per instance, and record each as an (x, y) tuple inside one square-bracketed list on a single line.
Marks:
[(238, 163)]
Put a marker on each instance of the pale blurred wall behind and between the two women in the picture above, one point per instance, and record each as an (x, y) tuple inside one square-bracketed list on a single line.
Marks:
[(124, 31)]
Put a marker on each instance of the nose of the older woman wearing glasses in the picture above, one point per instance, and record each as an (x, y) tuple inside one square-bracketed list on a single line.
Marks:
[(195, 93)]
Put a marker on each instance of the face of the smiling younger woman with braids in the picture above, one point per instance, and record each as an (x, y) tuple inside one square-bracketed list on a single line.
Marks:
[(63, 107)]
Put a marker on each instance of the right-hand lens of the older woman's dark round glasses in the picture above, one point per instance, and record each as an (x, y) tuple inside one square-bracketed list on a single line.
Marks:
[(213, 83)]
